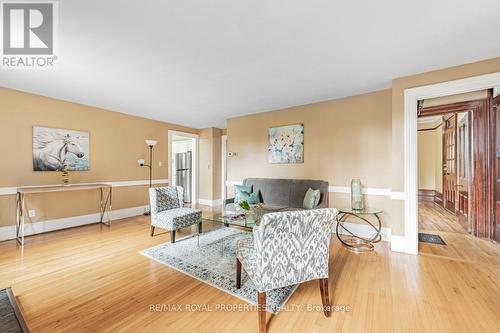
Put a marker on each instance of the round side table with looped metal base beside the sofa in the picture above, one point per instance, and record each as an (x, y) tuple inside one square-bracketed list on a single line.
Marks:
[(349, 238)]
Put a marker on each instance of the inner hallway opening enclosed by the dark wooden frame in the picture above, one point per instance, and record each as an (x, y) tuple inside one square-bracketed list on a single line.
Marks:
[(444, 171)]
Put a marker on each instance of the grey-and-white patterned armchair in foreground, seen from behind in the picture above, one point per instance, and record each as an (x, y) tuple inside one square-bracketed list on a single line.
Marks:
[(287, 248)]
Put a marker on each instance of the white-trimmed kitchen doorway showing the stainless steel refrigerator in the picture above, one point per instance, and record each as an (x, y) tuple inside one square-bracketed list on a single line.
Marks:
[(183, 163)]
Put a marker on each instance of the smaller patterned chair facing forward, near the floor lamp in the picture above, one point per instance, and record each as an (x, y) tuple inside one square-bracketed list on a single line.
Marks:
[(167, 211)]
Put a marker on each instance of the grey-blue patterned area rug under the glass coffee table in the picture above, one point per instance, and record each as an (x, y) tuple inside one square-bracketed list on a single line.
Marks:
[(212, 259)]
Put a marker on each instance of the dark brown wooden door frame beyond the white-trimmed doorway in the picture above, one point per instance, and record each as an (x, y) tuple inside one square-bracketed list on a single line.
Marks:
[(482, 169)]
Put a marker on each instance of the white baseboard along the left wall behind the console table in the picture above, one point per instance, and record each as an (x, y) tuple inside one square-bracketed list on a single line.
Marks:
[(9, 232)]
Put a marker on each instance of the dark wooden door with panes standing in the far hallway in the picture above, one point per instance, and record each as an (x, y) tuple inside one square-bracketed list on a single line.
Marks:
[(450, 162)]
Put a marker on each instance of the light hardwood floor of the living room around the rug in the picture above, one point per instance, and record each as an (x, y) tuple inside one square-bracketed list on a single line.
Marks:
[(92, 279)]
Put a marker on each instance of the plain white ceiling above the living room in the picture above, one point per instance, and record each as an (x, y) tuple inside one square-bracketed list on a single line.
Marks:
[(198, 63)]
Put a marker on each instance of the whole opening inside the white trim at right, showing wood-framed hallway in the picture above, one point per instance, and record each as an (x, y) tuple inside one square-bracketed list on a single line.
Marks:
[(455, 173)]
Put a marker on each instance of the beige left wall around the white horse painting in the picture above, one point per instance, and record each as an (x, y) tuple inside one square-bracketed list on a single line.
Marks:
[(116, 142)]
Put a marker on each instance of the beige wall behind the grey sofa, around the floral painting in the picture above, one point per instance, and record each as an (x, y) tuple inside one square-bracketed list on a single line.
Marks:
[(343, 139)]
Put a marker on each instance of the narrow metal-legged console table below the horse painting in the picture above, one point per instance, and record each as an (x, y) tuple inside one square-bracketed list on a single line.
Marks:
[(105, 201)]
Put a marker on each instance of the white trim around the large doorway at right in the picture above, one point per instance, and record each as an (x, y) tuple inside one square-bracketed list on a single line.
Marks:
[(409, 242)]
